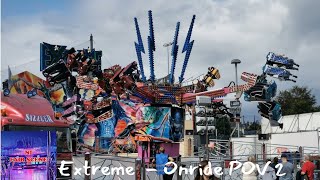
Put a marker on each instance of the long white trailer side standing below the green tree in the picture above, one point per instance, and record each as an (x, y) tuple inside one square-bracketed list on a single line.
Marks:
[(301, 130)]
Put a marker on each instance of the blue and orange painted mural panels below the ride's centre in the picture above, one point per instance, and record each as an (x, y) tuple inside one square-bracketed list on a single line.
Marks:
[(163, 122)]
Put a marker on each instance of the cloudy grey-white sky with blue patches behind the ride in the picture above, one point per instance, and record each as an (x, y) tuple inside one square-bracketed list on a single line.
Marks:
[(223, 30)]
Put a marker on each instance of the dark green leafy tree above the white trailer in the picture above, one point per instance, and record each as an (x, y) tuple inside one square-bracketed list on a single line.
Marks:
[(297, 100)]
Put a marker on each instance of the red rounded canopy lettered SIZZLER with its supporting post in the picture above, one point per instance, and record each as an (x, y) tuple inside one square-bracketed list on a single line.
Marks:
[(20, 113)]
